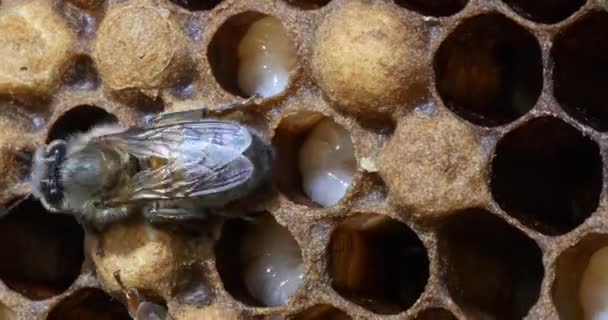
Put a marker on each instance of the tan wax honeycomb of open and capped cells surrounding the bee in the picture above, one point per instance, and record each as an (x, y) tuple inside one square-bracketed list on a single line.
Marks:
[(476, 127)]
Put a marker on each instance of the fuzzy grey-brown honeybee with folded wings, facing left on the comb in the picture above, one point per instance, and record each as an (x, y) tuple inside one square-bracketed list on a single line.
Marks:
[(178, 168)]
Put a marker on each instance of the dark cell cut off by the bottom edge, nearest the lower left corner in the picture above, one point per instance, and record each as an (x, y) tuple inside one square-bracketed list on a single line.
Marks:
[(88, 303)]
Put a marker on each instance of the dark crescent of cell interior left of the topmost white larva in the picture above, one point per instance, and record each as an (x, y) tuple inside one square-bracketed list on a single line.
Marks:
[(222, 52)]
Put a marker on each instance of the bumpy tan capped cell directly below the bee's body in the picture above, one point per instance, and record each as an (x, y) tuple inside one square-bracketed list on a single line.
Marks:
[(136, 255)]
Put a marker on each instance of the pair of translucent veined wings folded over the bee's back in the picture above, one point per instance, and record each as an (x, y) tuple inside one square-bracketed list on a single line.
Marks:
[(204, 158)]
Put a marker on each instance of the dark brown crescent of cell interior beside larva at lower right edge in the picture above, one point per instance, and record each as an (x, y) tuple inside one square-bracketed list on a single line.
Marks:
[(570, 266)]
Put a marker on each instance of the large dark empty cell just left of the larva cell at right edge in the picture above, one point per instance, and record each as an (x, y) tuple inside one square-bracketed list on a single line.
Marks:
[(492, 270)]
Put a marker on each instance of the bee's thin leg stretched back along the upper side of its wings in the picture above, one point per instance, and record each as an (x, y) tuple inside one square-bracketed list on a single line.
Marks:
[(201, 113)]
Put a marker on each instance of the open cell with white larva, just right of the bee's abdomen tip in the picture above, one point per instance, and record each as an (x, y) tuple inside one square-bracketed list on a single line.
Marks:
[(315, 161)]
